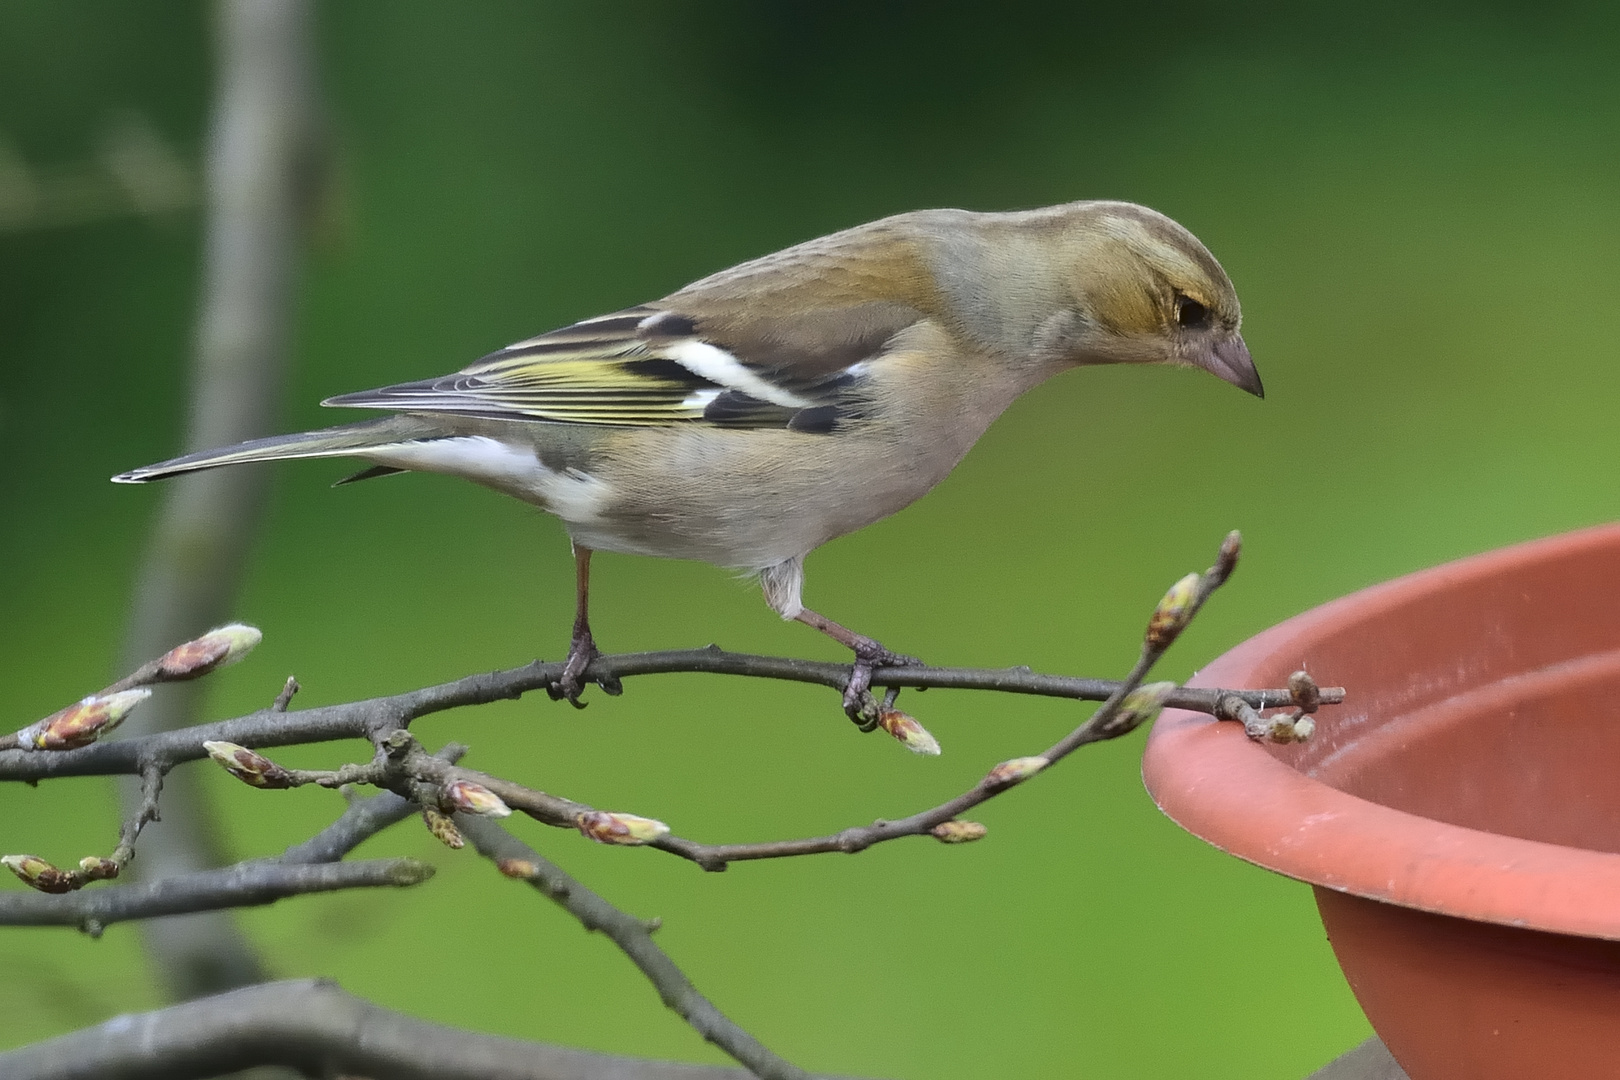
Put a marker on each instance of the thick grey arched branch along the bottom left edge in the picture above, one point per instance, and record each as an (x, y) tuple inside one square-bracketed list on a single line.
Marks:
[(318, 1029)]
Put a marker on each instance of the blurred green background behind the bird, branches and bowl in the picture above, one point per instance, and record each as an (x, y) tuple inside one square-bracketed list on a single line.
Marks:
[(1420, 206)]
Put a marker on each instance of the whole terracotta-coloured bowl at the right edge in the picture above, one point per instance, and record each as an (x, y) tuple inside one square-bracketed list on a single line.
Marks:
[(1459, 815)]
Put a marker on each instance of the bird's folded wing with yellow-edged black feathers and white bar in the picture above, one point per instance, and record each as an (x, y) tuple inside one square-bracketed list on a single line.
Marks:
[(655, 365)]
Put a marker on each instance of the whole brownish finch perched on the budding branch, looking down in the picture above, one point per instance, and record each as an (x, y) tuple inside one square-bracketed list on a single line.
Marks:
[(769, 409)]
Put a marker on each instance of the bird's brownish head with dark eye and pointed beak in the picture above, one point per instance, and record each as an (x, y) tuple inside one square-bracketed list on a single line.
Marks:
[(1146, 292)]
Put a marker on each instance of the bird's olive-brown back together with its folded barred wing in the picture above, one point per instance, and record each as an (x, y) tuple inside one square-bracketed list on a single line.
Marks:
[(778, 342)]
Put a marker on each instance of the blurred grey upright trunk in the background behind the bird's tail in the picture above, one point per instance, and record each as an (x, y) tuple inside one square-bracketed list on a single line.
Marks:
[(263, 158)]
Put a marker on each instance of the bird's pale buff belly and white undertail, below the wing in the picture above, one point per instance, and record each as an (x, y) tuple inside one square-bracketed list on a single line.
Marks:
[(746, 500)]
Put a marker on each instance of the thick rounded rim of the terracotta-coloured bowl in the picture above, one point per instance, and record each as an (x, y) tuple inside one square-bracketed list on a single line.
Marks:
[(1213, 781)]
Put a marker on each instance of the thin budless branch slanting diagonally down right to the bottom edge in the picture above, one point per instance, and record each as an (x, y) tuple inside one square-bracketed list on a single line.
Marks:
[(636, 938)]
